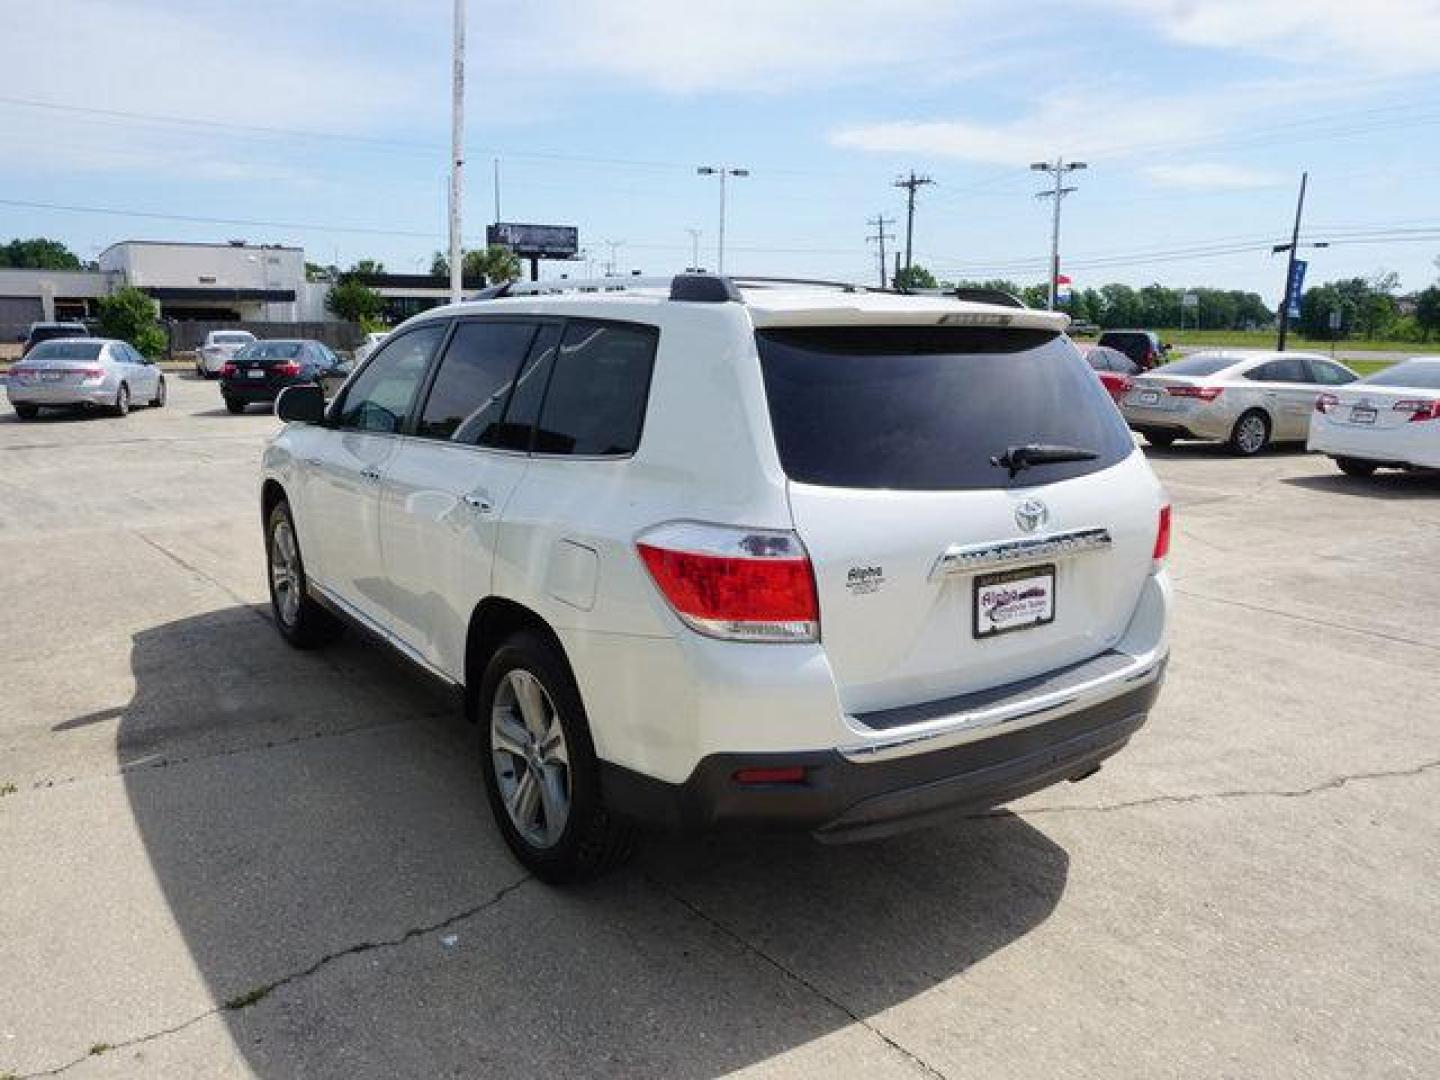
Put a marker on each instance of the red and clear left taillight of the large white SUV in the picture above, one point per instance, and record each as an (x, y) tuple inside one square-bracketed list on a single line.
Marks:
[(735, 584)]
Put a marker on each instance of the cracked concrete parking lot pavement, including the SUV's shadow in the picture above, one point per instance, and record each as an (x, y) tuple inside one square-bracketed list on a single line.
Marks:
[(228, 859)]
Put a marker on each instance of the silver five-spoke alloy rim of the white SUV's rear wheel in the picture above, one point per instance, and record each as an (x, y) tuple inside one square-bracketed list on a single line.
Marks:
[(531, 758)]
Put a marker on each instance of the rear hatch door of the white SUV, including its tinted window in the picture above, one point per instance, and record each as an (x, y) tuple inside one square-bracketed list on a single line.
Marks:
[(886, 434)]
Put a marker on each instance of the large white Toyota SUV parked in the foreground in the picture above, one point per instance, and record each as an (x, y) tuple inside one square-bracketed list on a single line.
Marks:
[(715, 552)]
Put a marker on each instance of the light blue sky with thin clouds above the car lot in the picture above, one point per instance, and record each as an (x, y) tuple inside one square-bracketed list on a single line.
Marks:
[(1196, 119)]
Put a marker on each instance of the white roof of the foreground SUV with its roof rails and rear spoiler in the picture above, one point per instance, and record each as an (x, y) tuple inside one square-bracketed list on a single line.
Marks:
[(771, 303)]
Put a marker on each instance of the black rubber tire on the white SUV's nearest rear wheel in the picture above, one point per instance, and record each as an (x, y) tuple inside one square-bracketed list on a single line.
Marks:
[(593, 840)]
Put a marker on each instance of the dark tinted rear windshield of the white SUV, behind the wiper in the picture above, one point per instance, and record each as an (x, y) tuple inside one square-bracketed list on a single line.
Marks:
[(927, 408)]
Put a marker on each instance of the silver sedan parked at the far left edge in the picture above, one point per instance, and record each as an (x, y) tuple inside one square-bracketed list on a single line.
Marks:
[(90, 372)]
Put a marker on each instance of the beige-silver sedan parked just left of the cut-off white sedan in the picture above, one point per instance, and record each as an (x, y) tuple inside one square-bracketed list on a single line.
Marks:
[(1248, 398)]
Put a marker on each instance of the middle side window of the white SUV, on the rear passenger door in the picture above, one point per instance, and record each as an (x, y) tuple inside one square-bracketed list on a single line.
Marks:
[(473, 387)]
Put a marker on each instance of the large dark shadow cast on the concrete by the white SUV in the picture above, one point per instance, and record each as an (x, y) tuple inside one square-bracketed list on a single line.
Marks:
[(323, 842)]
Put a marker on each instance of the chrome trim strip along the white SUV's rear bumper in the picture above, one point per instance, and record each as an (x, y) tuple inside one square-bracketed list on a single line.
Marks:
[(966, 728)]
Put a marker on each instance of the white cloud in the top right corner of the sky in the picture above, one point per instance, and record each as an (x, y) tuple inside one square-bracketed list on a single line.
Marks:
[(1390, 37)]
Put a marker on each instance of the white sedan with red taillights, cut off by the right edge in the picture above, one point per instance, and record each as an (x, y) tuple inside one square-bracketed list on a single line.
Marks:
[(1390, 420)]
